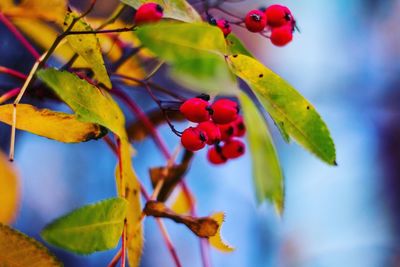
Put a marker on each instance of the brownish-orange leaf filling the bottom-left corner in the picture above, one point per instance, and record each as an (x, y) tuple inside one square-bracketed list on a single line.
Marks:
[(19, 250)]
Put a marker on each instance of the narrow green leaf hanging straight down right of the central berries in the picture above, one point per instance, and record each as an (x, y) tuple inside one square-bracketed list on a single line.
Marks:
[(267, 171)]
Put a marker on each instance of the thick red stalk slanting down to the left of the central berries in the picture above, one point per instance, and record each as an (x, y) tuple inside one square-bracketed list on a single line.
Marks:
[(143, 118)]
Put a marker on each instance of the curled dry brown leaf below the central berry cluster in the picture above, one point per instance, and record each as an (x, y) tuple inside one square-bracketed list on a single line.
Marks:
[(202, 227)]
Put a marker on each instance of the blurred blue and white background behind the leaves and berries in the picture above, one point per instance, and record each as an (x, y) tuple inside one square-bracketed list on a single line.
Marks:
[(346, 61)]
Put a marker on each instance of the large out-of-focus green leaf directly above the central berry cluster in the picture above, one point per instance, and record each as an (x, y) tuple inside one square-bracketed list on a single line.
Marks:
[(194, 51)]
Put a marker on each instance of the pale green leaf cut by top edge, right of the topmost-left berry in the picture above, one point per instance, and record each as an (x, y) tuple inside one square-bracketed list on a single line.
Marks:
[(174, 9)]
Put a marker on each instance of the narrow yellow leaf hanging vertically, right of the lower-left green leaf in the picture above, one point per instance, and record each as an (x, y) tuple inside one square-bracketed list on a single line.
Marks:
[(128, 186)]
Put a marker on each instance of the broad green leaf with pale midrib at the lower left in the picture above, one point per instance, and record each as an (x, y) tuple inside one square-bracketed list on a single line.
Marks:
[(90, 228)]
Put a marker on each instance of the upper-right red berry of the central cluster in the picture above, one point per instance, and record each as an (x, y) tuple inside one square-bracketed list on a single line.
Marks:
[(224, 111)]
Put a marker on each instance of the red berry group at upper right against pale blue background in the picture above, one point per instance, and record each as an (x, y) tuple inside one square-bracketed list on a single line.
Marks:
[(276, 19)]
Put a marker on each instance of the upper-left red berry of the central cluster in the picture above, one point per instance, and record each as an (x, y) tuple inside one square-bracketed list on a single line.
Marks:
[(195, 110)]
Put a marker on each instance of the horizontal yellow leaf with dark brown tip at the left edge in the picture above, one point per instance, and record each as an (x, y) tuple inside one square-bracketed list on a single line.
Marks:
[(51, 124)]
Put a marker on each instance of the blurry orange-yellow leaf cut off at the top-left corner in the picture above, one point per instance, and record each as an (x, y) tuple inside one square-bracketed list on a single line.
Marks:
[(49, 10)]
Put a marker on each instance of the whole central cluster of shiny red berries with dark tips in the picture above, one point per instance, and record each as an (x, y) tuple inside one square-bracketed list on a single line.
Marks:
[(219, 122)]
